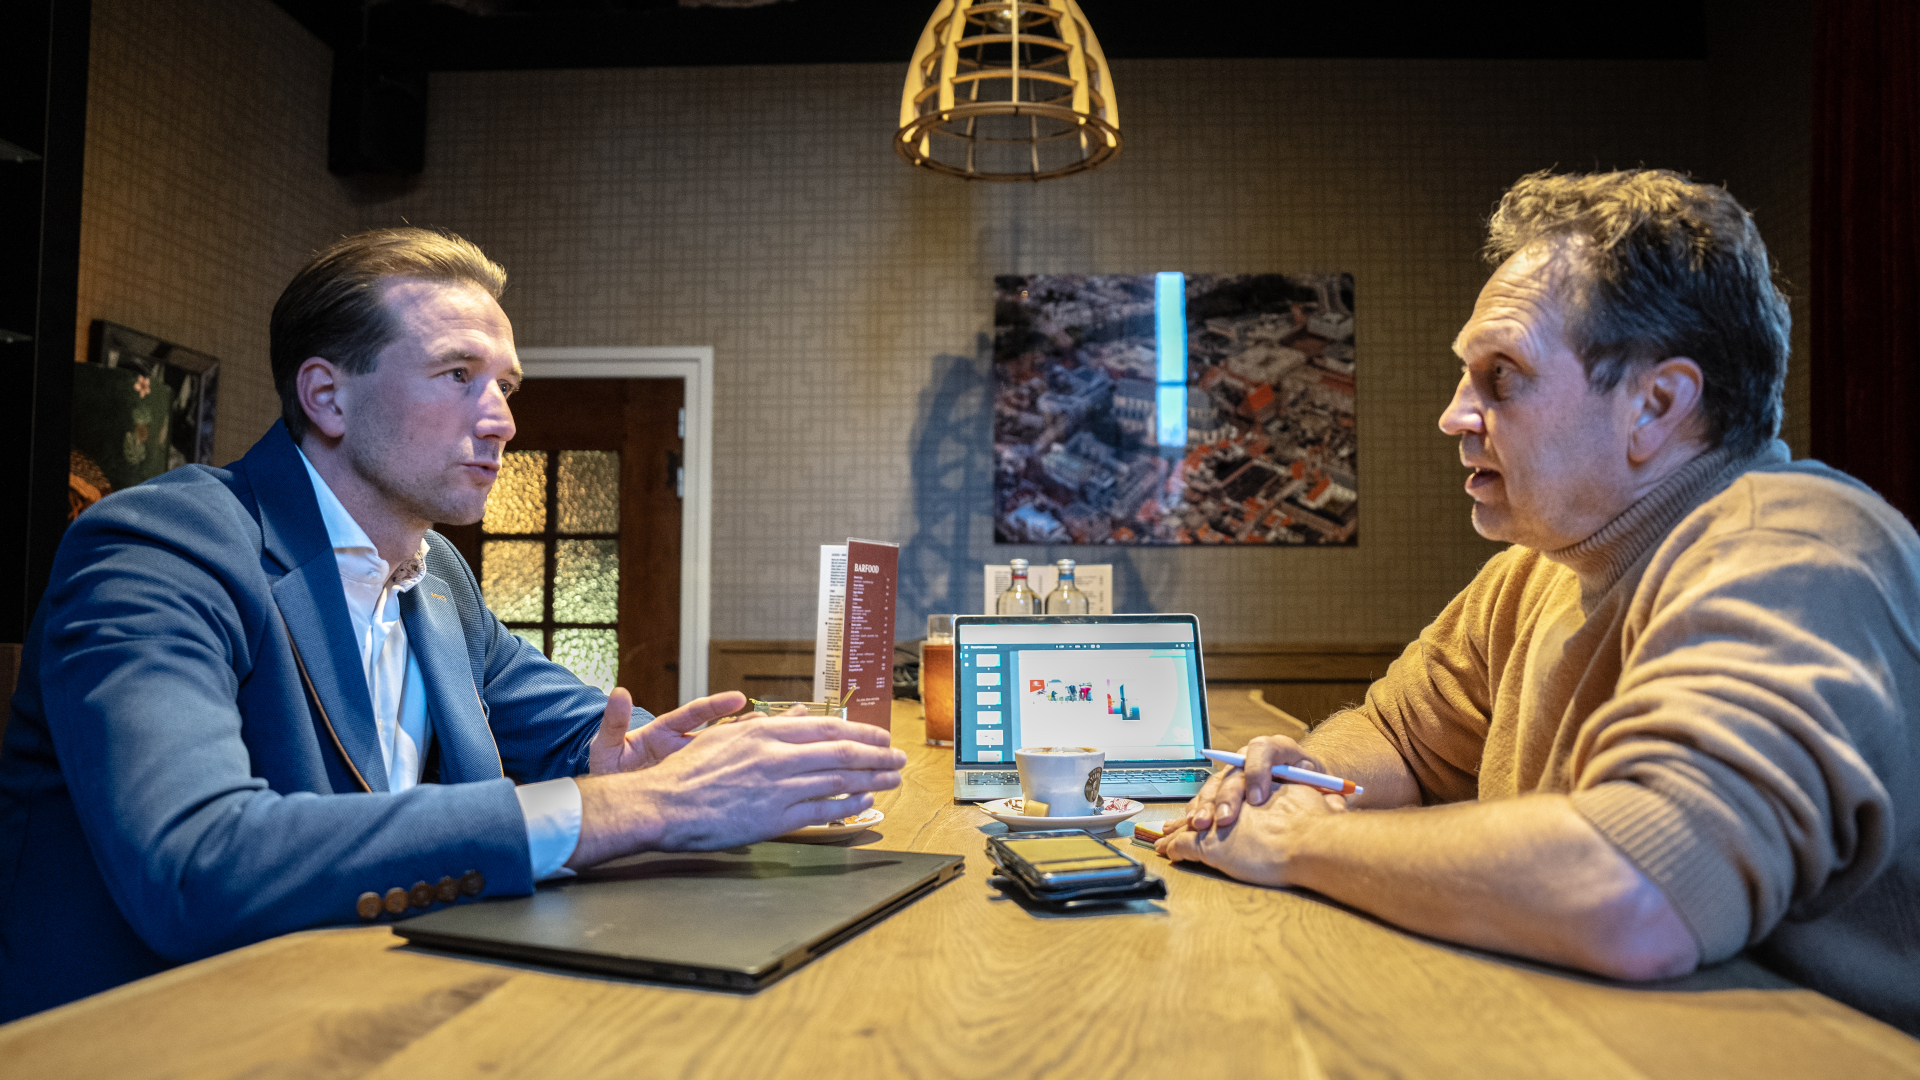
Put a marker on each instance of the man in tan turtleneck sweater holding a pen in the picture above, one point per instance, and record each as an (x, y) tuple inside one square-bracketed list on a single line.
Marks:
[(1671, 722)]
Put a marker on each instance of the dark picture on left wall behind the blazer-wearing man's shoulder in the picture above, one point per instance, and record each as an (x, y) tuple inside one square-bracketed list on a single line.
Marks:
[(141, 406)]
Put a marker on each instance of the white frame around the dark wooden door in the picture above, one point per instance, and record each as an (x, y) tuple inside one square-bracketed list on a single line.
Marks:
[(694, 366)]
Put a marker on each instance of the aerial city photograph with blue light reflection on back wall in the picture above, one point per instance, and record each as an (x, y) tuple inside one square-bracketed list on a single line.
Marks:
[(1262, 454)]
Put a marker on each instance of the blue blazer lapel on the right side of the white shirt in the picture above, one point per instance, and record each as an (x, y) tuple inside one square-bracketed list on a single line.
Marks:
[(435, 635)]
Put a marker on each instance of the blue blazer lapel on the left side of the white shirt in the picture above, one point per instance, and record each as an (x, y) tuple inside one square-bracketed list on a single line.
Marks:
[(310, 597)]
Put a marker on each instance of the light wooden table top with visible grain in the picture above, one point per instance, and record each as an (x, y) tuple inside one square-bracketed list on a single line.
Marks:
[(1218, 981)]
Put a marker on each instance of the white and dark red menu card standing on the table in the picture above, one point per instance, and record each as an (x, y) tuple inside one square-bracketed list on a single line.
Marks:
[(853, 633)]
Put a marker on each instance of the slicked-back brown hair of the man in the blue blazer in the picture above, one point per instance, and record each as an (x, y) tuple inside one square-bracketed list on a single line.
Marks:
[(333, 308)]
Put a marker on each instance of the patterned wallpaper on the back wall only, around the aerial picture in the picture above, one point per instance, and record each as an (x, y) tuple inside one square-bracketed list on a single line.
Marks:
[(848, 297)]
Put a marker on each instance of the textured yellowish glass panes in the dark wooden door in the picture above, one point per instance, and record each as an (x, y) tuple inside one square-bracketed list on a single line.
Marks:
[(550, 556)]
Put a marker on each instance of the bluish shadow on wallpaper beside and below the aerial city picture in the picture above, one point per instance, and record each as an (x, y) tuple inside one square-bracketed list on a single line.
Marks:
[(951, 468)]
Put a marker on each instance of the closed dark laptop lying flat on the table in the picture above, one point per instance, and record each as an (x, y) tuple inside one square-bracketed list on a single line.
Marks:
[(732, 920)]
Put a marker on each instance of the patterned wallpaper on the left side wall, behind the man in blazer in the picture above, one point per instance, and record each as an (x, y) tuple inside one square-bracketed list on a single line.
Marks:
[(206, 184)]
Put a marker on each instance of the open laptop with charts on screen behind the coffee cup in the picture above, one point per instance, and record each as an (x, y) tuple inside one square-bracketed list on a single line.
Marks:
[(1130, 685)]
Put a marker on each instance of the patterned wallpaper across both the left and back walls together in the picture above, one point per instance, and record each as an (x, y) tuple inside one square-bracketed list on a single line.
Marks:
[(761, 212)]
